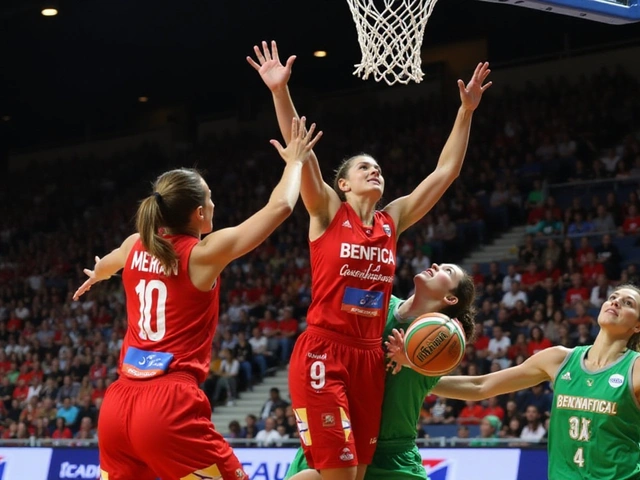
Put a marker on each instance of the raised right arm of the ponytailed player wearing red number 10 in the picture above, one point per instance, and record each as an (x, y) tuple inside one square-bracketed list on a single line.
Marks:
[(226, 245)]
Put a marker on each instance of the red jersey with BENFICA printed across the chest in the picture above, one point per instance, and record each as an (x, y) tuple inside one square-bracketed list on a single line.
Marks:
[(352, 269)]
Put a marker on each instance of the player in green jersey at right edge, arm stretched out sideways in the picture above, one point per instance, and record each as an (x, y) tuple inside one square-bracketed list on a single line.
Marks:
[(594, 430)]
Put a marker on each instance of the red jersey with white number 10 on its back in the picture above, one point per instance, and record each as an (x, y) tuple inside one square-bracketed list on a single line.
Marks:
[(170, 322)]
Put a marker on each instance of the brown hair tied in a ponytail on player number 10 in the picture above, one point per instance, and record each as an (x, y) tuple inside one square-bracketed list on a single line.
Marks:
[(176, 194)]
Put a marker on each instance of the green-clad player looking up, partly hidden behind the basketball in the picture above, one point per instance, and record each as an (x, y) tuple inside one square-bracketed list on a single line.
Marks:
[(444, 288)]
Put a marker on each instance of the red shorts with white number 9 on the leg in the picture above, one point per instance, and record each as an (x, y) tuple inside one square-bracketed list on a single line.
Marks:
[(337, 386)]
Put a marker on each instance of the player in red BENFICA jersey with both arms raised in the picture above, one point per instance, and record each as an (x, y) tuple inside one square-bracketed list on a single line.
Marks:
[(336, 375)]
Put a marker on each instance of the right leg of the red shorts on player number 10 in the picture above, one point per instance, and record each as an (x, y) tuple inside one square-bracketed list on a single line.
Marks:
[(175, 437)]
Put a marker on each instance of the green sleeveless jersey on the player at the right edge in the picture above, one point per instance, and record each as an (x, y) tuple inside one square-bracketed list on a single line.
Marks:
[(595, 421)]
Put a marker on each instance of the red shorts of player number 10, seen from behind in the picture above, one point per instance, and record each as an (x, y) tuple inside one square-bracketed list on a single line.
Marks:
[(162, 428)]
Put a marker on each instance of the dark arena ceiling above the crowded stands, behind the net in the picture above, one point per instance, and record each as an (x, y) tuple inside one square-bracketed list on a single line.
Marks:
[(97, 57)]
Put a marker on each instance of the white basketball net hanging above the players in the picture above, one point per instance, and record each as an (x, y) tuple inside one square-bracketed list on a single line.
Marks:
[(390, 34)]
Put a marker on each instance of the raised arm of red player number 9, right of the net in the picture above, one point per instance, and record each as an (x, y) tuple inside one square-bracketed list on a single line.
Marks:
[(409, 209)]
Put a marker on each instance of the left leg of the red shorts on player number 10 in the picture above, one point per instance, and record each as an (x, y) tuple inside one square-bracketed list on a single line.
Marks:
[(117, 458)]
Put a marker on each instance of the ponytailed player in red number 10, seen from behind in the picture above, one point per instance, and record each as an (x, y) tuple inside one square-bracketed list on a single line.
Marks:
[(155, 421)]
